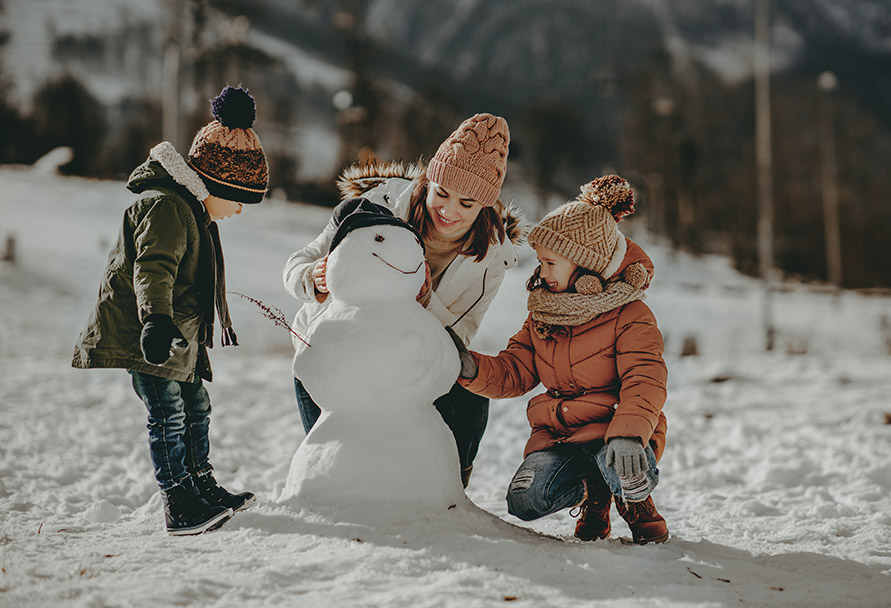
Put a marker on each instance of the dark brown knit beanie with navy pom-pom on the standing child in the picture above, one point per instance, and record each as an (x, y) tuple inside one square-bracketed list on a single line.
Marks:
[(226, 152)]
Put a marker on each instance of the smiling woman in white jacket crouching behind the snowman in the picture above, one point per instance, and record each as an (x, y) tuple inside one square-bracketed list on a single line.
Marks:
[(469, 238)]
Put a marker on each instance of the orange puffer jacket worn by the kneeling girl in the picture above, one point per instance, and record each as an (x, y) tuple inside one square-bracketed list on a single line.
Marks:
[(605, 378)]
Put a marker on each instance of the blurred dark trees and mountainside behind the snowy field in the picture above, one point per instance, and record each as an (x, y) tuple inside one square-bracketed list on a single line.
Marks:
[(661, 93)]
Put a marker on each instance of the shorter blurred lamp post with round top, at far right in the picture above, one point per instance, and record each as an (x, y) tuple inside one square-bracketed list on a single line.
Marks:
[(829, 174)]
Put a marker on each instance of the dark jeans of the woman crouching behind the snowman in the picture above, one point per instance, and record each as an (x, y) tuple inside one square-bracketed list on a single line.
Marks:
[(465, 414)]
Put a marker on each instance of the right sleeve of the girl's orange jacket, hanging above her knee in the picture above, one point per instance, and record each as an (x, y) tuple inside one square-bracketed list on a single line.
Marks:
[(642, 374)]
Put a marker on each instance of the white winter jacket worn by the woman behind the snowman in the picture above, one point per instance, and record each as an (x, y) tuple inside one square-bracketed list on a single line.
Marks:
[(460, 300)]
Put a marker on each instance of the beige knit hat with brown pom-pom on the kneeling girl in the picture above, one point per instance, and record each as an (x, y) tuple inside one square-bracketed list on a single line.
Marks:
[(585, 230)]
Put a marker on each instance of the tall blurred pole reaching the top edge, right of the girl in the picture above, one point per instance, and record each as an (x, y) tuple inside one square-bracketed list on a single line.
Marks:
[(764, 162)]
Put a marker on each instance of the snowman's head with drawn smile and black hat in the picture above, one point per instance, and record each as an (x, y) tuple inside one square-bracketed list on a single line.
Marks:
[(373, 256)]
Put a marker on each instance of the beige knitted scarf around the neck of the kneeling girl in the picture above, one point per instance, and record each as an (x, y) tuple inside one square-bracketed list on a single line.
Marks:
[(551, 311)]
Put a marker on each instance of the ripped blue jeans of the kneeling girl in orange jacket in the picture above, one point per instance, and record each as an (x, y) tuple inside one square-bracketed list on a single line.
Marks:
[(551, 480)]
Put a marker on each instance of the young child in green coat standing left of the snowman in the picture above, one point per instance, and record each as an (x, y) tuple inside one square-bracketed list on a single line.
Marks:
[(164, 283)]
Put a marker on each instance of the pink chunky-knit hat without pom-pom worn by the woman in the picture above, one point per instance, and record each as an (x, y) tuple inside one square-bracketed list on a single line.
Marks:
[(473, 159)]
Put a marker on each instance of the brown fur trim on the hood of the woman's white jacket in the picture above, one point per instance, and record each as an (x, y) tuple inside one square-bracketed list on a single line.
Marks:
[(357, 180)]
